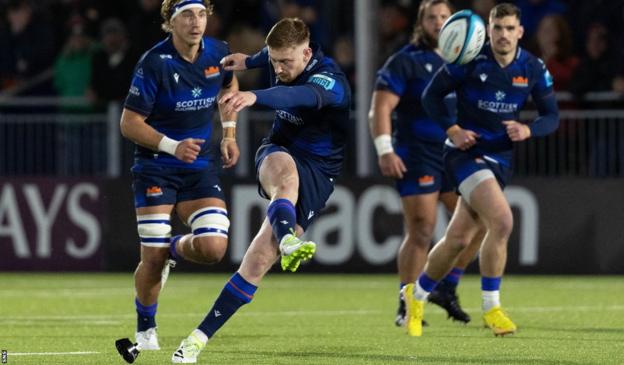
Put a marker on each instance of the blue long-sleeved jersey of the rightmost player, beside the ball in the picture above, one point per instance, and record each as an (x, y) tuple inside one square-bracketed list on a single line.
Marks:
[(488, 94)]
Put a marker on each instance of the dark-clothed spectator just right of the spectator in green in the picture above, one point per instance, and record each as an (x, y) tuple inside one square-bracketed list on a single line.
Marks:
[(112, 65)]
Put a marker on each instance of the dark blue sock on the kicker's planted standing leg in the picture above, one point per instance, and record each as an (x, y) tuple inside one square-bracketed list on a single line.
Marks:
[(236, 293)]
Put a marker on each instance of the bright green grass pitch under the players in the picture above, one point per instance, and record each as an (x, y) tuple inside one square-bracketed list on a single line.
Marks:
[(311, 319)]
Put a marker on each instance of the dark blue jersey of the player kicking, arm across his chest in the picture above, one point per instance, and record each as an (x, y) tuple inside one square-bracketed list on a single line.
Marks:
[(312, 111)]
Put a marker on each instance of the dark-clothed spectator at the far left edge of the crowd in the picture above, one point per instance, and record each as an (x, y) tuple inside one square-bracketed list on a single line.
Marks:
[(27, 49)]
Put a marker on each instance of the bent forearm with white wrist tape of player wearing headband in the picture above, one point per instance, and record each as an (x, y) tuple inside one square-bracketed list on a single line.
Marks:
[(134, 128)]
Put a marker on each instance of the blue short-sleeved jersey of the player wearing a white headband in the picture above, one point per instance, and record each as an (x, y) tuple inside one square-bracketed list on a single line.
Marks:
[(178, 98)]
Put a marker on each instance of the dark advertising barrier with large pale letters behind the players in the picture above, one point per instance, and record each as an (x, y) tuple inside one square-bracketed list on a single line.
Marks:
[(562, 226)]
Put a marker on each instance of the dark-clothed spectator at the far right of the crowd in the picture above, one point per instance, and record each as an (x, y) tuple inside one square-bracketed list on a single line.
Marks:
[(598, 68)]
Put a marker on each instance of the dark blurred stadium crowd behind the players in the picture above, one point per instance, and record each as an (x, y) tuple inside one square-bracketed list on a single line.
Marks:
[(88, 48)]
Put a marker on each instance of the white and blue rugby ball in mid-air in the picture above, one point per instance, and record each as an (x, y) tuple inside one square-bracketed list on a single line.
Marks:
[(461, 37)]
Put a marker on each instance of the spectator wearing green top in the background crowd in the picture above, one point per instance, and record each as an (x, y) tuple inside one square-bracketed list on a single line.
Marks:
[(72, 69)]
